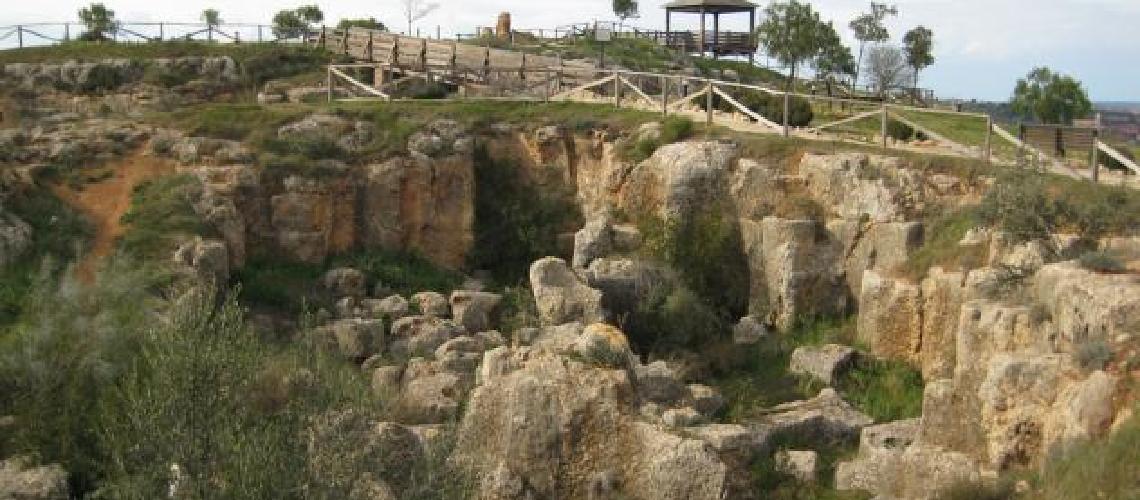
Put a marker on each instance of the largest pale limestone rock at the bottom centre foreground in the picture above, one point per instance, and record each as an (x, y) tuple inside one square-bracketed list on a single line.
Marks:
[(565, 429)]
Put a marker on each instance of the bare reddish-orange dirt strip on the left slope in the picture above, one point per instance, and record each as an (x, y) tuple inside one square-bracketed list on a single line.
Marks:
[(104, 204)]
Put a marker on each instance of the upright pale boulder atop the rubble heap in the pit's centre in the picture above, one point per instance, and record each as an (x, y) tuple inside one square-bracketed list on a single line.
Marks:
[(563, 297)]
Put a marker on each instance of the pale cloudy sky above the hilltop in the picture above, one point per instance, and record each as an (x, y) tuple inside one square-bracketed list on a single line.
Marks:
[(982, 47)]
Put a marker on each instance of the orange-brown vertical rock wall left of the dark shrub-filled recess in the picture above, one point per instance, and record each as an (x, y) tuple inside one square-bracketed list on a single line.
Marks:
[(424, 202)]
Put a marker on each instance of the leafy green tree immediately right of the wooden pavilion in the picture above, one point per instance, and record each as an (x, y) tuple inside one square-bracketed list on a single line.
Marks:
[(792, 34)]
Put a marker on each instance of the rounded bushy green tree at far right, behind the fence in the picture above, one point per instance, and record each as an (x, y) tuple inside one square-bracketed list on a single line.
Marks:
[(1052, 97)]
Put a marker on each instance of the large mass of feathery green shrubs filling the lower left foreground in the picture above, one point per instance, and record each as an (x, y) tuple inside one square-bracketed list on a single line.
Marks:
[(118, 387)]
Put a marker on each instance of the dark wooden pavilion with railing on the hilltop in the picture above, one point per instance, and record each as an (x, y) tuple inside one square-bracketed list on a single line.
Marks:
[(718, 44)]
